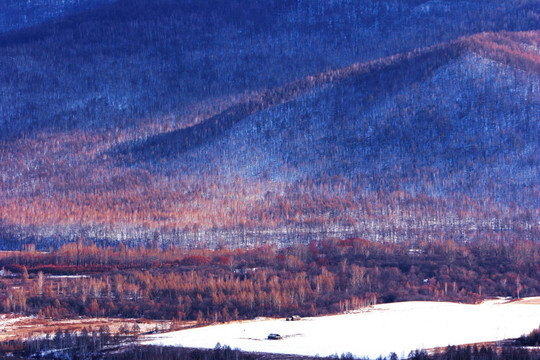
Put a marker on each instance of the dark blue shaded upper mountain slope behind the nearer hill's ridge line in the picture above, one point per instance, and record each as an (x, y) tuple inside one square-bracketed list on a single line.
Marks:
[(138, 60)]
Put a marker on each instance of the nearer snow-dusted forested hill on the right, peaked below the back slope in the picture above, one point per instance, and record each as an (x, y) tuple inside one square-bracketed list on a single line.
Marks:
[(442, 133)]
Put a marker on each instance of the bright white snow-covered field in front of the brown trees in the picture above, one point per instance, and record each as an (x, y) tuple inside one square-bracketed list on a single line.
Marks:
[(380, 330)]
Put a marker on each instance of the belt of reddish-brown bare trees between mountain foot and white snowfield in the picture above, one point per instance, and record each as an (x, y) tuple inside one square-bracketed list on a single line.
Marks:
[(225, 284)]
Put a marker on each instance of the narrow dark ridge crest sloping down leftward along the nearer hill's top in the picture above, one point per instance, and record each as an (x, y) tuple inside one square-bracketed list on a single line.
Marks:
[(482, 44)]
